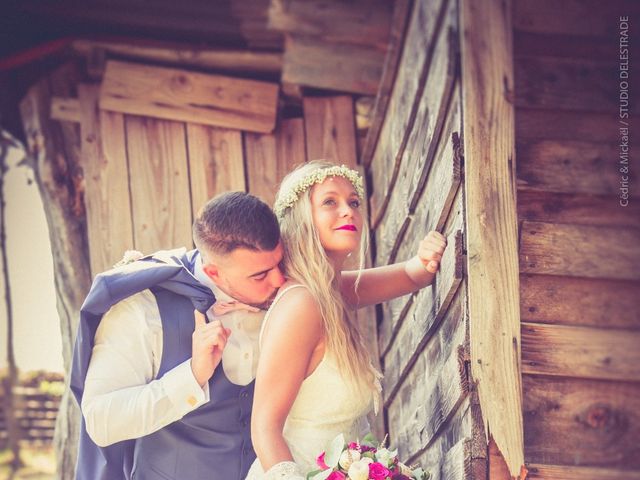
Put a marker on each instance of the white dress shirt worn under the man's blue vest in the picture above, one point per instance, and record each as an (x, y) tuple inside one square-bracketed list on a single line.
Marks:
[(123, 399)]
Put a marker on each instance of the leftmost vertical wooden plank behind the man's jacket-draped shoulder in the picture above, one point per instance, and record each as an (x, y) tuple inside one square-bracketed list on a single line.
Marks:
[(107, 198)]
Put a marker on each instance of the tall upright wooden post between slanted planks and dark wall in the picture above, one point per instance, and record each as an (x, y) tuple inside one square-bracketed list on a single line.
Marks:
[(490, 188)]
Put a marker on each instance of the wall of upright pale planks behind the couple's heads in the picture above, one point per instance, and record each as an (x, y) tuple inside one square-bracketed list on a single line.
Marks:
[(146, 177)]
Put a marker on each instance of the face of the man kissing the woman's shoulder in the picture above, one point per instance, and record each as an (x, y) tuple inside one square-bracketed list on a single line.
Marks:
[(251, 277)]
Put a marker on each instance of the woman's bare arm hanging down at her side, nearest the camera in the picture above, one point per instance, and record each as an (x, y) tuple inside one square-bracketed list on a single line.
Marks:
[(293, 331)]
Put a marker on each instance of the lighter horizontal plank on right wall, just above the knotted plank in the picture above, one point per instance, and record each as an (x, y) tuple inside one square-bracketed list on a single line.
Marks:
[(583, 352)]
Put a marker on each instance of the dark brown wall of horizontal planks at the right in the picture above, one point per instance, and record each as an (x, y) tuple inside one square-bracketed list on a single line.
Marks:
[(579, 248)]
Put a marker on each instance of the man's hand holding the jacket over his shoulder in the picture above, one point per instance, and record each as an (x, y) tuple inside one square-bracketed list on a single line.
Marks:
[(208, 342)]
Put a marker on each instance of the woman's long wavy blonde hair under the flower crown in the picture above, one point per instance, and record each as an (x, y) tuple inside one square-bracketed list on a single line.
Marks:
[(305, 261)]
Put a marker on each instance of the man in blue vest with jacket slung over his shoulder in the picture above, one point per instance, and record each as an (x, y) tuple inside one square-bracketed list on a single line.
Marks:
[(162, 396)]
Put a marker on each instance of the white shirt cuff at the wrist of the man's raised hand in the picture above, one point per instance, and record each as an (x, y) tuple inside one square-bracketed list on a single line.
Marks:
[(183, 390)]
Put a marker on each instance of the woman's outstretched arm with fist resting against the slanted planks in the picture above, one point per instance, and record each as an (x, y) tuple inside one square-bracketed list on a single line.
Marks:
[(384, 283)]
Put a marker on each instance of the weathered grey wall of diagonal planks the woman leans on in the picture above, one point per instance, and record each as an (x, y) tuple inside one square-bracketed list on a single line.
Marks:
[(414, 161)]
